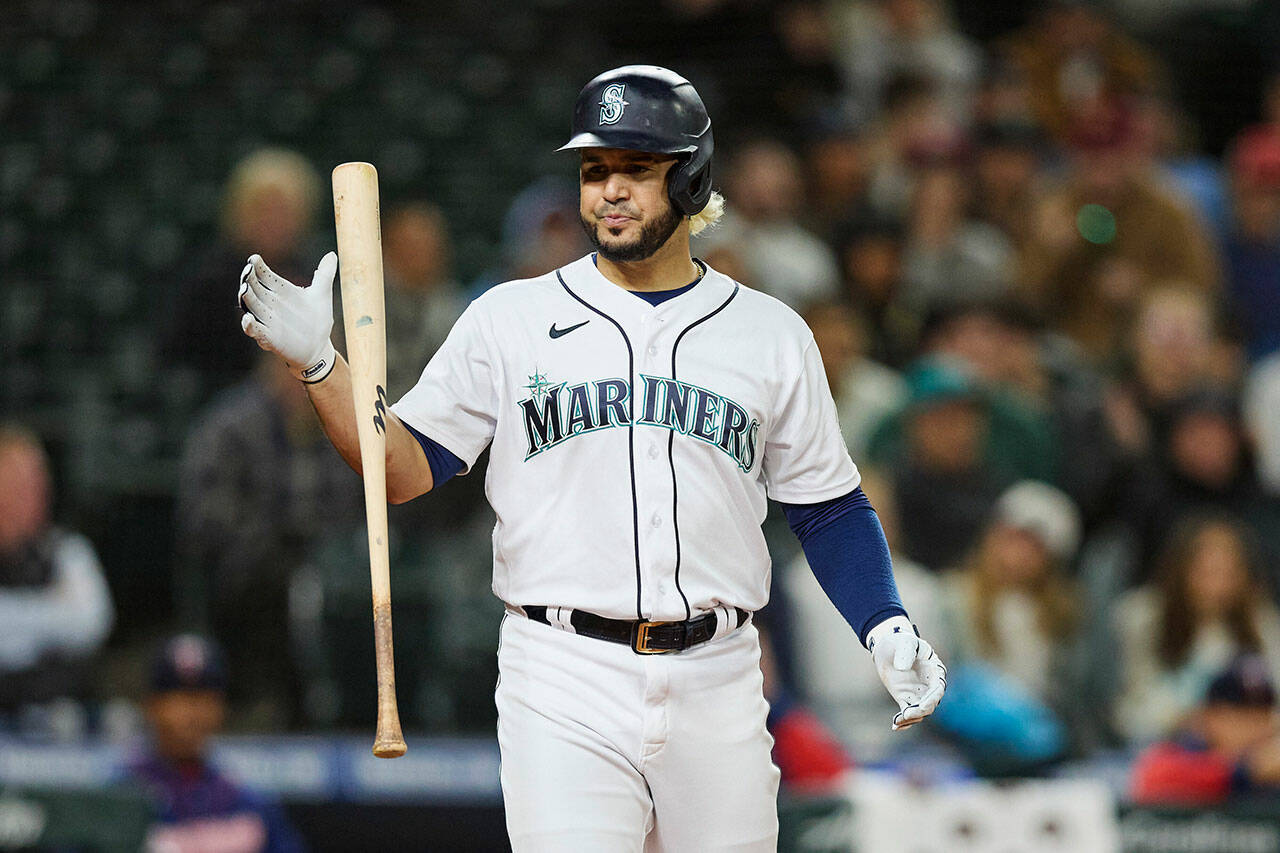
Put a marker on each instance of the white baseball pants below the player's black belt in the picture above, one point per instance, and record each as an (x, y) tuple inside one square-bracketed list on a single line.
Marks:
[(606, 750)]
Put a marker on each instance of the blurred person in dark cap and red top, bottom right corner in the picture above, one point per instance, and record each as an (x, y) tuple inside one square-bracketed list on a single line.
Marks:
[(1229, 747)]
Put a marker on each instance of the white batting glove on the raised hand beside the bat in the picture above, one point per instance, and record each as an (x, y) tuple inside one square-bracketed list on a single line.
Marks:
[(290, 321)]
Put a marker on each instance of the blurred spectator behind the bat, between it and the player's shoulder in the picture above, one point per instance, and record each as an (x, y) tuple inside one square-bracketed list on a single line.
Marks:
[(423, 300)]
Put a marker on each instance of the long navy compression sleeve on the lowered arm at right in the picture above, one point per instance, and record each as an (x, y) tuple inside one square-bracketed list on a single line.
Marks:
[(847, 550)]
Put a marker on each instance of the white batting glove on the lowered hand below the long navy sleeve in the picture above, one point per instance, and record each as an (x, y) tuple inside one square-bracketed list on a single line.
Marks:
[(909, 668)]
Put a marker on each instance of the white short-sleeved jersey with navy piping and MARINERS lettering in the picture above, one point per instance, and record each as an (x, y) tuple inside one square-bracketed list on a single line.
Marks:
[(634, 446)]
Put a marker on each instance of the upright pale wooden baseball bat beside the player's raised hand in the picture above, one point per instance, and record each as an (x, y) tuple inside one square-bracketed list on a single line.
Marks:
[(364, 314)]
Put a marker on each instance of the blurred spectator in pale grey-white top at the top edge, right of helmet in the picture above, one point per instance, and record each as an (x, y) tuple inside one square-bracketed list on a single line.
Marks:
[(881, 39)]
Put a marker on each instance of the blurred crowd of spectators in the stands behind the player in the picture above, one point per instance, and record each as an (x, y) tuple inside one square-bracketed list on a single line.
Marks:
[(1050, 318)]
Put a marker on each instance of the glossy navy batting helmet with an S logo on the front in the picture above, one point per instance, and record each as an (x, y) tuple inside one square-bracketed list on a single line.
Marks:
[(647, 108)]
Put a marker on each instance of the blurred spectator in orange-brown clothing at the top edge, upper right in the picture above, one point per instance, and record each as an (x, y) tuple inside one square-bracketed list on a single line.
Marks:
[(1073, 54)]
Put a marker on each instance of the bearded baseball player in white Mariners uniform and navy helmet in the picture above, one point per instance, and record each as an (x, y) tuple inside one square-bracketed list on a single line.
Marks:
[(641, 408)]
